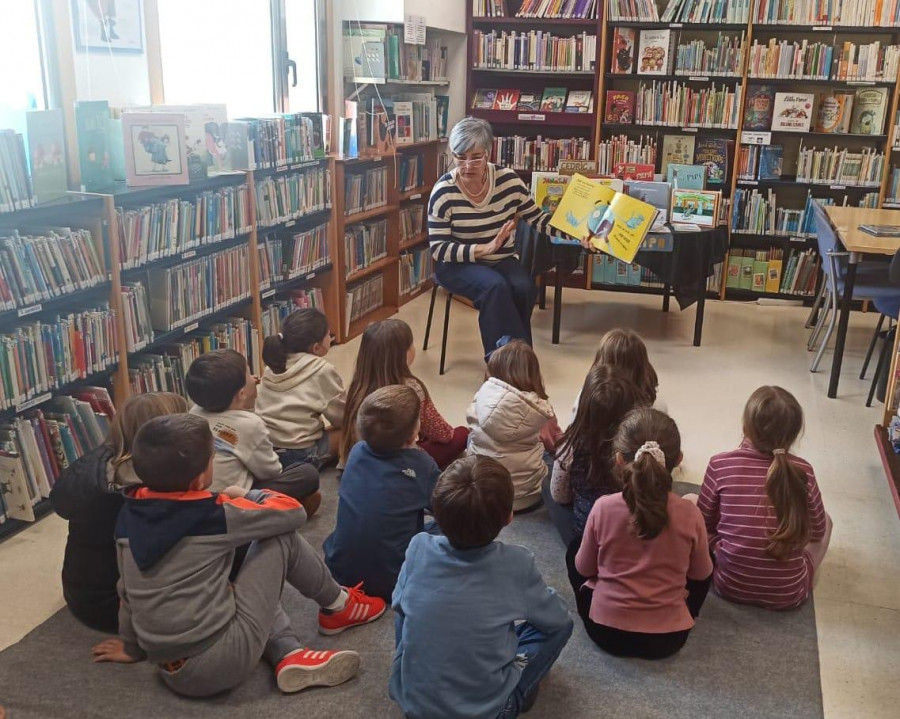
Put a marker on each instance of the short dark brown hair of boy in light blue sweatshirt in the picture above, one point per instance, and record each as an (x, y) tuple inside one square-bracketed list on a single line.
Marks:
[(472, 501)]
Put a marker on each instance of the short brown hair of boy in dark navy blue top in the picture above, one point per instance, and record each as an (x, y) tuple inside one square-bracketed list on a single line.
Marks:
[(388, 417)]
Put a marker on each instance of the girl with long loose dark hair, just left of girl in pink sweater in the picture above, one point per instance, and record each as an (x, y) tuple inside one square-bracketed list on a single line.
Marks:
[(584, 467)]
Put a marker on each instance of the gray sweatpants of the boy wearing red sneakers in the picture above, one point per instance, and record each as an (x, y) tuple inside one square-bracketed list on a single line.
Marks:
[(259, 626)]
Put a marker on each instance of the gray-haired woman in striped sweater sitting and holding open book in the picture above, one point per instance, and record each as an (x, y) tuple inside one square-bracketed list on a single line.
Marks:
[(472, 216)]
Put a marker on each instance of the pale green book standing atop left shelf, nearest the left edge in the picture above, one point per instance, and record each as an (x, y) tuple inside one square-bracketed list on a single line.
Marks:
[(47, 154)]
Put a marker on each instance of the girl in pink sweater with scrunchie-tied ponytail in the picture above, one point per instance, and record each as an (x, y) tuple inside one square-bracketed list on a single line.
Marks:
[(643, 568)]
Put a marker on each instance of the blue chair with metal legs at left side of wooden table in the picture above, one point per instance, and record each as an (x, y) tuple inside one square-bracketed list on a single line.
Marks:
[(872, 283)]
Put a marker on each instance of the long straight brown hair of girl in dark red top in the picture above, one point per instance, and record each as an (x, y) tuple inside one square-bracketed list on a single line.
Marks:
[(381, 361)]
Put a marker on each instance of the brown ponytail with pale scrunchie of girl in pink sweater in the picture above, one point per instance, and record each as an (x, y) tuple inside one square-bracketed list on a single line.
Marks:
[(646, 482)]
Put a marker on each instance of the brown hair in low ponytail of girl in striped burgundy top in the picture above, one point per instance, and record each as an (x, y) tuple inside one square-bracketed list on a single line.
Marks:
[(773, 419)]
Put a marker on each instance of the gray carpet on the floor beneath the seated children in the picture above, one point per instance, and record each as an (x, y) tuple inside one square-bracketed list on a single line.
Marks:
[(738, 661)]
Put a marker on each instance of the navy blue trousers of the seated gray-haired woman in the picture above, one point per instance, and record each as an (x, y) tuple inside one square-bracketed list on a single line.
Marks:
[(503, 293)]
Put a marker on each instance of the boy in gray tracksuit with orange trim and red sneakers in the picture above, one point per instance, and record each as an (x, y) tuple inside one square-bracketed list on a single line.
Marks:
[(175, 548)]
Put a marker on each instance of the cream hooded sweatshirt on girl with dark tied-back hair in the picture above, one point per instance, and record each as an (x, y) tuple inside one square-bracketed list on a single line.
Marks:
[(293, 403)]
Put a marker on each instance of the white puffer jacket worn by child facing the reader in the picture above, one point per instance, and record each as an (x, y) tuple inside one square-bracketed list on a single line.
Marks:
[(505, 424)]
